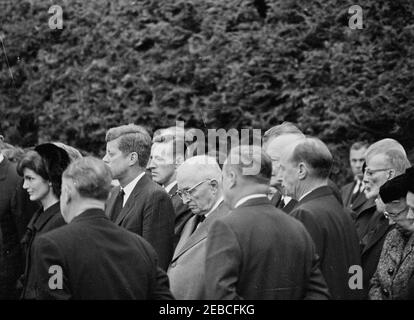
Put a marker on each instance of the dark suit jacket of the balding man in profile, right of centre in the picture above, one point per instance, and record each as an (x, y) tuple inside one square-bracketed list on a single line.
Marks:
[(335, 237)]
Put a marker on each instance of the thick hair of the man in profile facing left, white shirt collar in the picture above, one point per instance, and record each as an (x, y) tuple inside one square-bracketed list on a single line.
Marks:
[(133, 138)]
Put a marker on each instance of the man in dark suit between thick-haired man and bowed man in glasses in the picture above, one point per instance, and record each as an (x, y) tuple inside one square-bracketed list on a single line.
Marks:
[(167, 153)]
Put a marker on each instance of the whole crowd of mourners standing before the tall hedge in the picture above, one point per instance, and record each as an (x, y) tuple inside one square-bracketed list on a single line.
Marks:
[(157, 218)]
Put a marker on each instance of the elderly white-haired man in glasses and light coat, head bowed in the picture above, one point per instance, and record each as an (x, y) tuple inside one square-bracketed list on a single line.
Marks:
[(199, 186)]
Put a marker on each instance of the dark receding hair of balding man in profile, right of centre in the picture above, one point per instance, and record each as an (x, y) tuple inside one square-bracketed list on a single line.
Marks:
[(313, 152)]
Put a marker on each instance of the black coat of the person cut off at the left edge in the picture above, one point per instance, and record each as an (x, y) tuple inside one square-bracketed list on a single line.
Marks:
[(15, 212)]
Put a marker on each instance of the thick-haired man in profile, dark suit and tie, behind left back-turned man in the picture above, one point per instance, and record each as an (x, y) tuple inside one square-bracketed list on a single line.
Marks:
[(138, 203)]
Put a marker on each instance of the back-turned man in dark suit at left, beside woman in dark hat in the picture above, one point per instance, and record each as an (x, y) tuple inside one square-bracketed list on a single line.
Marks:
[(90, 257)]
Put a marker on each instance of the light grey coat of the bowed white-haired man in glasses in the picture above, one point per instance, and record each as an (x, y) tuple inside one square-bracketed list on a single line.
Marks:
[(187, 268)]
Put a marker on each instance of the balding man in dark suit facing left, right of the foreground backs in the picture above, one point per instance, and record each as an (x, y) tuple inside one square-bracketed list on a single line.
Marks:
[(305, 167)]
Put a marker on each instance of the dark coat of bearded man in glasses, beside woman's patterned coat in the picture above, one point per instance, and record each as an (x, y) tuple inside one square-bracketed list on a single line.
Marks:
[(371, 245)]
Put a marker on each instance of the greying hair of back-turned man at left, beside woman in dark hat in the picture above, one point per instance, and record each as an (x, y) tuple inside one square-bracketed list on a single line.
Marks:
[(91, 178)]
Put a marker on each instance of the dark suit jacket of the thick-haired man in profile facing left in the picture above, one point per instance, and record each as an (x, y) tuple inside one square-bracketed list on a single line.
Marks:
[(149, 213)]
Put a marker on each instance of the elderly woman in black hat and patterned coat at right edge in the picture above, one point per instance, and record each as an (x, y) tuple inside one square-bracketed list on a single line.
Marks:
[(391, 280)]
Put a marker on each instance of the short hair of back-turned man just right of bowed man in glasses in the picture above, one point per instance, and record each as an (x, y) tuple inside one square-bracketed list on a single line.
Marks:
[(251, 162)]
